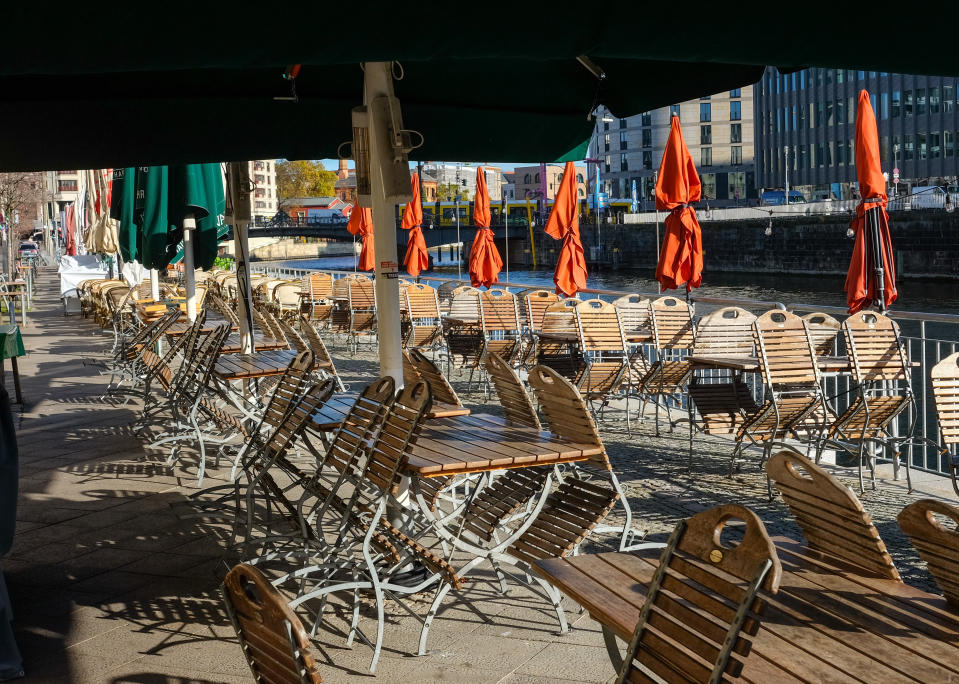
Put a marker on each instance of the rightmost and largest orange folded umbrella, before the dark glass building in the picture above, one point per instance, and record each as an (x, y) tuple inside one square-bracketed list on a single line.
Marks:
[(871, 280)]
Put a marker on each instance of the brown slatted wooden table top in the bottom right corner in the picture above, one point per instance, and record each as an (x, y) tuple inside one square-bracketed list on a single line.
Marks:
[(827, 623)]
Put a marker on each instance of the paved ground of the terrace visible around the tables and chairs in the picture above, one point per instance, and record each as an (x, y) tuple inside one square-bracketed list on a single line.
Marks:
[(109, 585)]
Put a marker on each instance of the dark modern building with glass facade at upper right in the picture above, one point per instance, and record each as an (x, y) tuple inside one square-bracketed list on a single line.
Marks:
[(807, 119)]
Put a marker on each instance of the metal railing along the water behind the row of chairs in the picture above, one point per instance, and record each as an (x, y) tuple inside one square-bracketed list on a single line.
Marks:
[(929, 337)]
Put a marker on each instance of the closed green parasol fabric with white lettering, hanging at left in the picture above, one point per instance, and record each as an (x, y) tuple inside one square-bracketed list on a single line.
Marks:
[(164, 197)]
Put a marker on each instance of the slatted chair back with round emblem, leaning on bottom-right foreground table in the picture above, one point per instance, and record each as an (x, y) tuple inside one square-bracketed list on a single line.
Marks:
[(702, 607)]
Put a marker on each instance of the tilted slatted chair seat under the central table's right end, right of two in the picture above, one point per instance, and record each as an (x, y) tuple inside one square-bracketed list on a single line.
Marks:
[(570, 513)]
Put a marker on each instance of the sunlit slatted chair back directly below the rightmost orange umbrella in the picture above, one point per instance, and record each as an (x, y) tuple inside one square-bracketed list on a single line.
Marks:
[(876, 351)]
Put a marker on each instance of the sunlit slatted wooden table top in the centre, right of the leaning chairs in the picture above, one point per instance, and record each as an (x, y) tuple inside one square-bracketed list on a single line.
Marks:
[(481, 442)]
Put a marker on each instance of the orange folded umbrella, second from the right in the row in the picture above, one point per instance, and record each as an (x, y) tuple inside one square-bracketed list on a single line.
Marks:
[(677, 187)]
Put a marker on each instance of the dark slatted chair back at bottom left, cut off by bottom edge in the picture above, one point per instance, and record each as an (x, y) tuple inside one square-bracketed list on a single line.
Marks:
[(276, 646)]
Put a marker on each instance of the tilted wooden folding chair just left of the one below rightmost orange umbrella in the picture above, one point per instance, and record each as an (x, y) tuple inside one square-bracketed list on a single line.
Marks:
[(788, 366)]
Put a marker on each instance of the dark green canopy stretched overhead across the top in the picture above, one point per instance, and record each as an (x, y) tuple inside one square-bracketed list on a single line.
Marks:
[(499, 86)]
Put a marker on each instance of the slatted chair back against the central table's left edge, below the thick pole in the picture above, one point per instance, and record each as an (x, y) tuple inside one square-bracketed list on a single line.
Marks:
[(392, 446)]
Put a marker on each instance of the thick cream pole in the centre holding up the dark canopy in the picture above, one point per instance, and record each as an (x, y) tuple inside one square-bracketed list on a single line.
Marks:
[(378, 83)]
